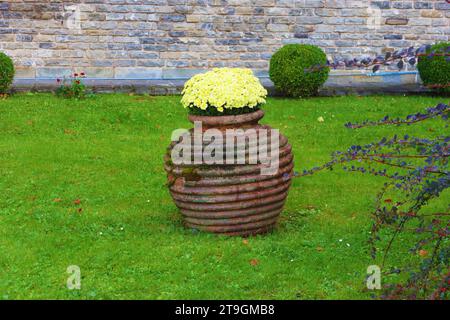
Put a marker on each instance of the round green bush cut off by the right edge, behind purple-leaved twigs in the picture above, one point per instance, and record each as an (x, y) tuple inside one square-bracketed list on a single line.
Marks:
[(435, 70)]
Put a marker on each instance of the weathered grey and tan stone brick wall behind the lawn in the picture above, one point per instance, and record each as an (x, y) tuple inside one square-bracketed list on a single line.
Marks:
[(167, 39)]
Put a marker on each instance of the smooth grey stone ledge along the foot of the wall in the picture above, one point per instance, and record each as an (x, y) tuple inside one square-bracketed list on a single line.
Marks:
[(338, 83)]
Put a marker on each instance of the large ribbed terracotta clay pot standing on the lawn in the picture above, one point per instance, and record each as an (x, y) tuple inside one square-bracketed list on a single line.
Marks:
[(229, 199)]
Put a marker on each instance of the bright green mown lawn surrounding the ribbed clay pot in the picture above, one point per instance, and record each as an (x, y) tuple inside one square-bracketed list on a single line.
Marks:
[(124, 230)]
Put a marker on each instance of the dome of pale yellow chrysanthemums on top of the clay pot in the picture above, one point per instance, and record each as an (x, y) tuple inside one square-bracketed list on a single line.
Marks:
[(223, 88)]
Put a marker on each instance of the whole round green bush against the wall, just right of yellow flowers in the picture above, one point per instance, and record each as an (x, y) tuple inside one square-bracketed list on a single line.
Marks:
[(299, 70)]
